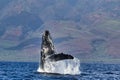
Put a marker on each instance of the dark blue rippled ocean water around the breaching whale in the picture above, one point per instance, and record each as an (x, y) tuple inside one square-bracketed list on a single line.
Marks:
[(27, 71)]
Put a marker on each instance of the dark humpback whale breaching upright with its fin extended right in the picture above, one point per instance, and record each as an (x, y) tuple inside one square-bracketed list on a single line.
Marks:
[(48, 50)]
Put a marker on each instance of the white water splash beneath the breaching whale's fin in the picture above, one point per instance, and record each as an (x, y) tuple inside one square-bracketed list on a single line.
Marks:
[(62, 67)]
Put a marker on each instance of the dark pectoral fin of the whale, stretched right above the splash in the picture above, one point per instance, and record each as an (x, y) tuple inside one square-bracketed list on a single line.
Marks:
[(61, 56)]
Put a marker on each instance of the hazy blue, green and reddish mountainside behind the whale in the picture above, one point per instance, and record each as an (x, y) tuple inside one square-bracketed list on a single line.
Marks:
[(84, 28)]
